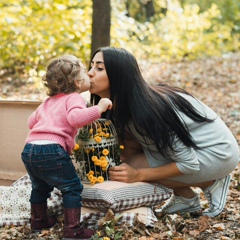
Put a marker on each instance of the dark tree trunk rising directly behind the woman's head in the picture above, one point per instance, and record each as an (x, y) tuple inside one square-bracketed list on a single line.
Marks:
[(101, 23)]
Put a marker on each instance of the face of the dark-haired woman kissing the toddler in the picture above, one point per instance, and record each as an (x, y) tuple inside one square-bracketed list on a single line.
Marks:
[(98, 77)]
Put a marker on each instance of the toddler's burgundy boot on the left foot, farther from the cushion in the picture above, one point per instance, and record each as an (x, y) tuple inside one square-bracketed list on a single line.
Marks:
[(39, 219)]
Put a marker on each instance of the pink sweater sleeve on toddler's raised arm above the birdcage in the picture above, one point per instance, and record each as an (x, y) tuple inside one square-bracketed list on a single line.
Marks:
[(79, 115)]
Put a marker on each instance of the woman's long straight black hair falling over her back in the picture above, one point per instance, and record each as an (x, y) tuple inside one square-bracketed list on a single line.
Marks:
[(152, 111)]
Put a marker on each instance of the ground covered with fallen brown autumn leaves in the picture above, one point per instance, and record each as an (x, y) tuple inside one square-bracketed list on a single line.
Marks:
[(215, 81)]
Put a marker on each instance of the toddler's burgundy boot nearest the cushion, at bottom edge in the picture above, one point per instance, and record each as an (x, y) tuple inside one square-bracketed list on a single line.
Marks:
[(72, 229)]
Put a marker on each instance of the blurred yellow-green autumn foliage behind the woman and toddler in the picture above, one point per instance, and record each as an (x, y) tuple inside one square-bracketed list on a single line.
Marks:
[(34, 31)]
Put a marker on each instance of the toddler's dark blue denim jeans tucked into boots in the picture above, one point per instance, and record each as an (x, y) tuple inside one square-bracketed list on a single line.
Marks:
[(50, 166)]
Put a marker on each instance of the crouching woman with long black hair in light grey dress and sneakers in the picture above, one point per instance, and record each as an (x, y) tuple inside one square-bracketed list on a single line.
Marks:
[(170, 137)]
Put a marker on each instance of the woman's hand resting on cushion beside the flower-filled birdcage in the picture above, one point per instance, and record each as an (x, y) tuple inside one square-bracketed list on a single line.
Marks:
[(124, 173)]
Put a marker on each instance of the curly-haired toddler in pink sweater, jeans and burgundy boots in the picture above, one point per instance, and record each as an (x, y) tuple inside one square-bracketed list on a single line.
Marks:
[(46, 155)]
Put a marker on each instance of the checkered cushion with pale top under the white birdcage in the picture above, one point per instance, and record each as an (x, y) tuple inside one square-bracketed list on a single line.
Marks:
[(121, 196)]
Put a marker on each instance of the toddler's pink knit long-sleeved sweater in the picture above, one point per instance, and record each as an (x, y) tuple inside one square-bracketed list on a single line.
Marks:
[(58, 119)]
